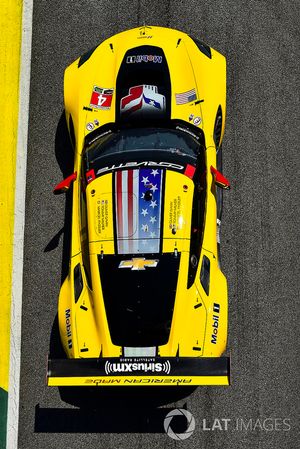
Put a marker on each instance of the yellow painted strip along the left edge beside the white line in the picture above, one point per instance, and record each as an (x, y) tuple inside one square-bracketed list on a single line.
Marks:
[(10, 43)]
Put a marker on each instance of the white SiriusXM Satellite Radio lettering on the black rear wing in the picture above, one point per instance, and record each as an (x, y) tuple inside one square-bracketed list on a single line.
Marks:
[(137, 366)]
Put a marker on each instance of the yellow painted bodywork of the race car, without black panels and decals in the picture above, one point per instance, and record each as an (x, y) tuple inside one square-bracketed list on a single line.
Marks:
[(196, 330)]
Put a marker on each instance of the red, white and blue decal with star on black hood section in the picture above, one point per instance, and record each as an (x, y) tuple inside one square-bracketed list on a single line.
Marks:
[(143, 98)]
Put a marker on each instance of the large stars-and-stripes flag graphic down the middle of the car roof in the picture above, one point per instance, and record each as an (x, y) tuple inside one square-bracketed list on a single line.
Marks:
[(138, 210)]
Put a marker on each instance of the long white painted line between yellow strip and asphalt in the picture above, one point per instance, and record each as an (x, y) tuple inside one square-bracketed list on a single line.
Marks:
[(19, 220)]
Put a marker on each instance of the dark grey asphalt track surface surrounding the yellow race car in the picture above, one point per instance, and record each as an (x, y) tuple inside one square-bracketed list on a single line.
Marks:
[(260, 230)]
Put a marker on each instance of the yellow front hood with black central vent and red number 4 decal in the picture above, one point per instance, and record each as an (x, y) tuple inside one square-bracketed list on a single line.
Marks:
[(129, 77)]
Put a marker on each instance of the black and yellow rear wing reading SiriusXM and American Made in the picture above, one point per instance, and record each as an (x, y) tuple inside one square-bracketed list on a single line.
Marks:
[(139, 371)]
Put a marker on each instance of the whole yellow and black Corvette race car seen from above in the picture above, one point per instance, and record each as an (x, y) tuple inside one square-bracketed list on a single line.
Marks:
[(145, 301)]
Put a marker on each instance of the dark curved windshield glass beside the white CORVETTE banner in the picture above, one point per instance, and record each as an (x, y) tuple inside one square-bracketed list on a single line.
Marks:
[(172, 141)]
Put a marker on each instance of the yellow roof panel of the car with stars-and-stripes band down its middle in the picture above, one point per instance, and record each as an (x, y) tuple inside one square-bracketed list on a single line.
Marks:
[(139, 211)]
